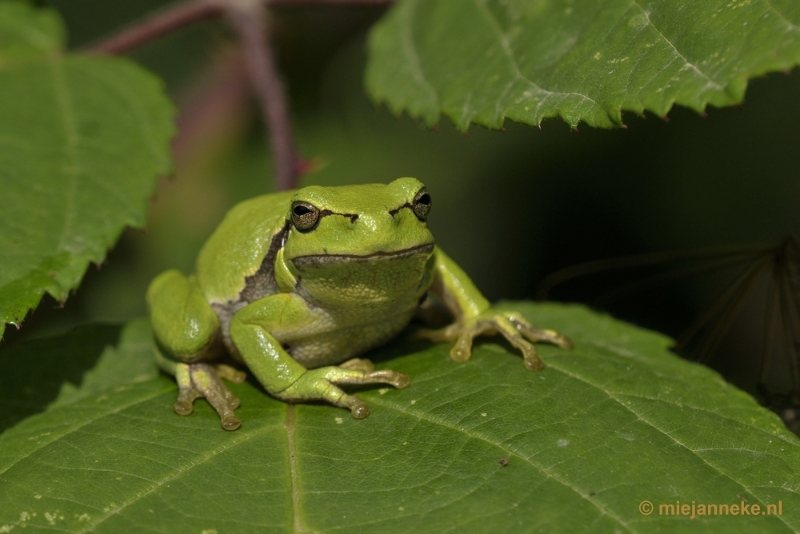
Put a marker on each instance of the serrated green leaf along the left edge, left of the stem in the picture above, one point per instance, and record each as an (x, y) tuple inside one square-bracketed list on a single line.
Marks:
[(82, 142)]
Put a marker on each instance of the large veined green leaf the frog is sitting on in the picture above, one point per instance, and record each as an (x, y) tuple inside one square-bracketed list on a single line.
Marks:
[(483, 446)]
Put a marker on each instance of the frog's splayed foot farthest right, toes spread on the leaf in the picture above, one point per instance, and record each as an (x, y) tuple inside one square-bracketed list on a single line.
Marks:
[(510, 325)]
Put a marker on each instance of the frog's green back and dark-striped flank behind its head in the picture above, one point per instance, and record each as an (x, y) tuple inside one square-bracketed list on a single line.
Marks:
[(237, 261)]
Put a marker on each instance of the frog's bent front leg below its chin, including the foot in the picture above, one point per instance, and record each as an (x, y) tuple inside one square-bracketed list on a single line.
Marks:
[(252, 330)]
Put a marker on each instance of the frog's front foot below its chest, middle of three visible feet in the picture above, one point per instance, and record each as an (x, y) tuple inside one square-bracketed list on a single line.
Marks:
[(321, 384)]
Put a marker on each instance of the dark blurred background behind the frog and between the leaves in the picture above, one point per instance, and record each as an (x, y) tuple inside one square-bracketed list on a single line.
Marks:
[(509, 207)]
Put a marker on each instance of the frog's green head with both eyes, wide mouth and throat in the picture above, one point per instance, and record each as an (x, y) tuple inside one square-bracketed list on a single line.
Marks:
[(343, 234)]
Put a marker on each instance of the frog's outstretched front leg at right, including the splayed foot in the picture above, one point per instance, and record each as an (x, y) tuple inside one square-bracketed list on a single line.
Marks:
[(474, 316)]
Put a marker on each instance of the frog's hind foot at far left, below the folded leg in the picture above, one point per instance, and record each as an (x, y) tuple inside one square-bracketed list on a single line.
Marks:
[(197, 380)]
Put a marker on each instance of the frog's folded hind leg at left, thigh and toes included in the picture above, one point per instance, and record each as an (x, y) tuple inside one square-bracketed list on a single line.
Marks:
[(187, 335)]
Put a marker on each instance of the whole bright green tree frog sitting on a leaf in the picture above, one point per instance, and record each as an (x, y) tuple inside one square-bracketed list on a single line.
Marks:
[(297, 284)]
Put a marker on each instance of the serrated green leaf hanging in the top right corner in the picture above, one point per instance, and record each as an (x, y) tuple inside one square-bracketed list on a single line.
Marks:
[(484, 60)]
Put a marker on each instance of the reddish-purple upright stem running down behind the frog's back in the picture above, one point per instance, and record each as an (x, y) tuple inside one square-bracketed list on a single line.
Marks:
[(248, 20)]
